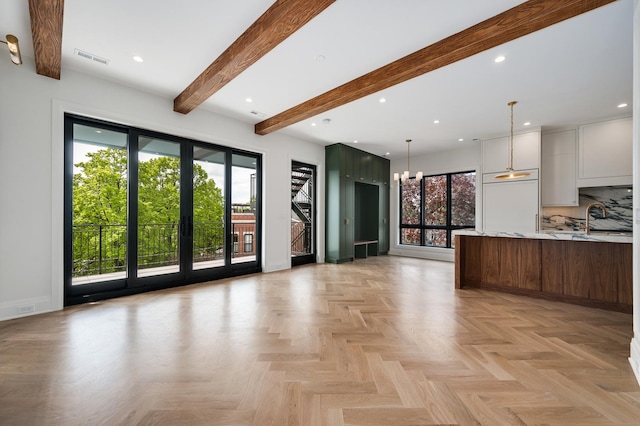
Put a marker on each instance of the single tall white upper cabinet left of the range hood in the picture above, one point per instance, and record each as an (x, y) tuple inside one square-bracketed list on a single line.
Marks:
[(558, 186)]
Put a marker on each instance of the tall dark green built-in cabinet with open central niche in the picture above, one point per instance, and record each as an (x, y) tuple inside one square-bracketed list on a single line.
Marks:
[(347, 170)]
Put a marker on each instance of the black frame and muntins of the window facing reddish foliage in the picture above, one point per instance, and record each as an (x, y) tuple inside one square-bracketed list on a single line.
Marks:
[(422, 227)]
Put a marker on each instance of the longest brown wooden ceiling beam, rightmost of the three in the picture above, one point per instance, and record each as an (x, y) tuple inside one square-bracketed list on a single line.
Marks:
[(516, 22)]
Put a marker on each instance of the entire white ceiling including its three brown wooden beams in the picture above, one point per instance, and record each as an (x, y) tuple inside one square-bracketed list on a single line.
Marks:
[(304, 63)]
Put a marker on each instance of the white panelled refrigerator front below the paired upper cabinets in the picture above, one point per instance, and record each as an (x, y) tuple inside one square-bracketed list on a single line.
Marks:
[(510, 205)]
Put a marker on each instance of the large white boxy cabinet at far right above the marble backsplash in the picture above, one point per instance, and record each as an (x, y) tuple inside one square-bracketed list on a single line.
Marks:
[(605, 153)]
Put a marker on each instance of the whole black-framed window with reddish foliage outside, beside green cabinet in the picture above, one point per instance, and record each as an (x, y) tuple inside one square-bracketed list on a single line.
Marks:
[(436, 205)]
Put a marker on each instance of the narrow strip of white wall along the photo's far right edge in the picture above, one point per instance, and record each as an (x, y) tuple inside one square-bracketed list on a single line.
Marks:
[(634, 359)]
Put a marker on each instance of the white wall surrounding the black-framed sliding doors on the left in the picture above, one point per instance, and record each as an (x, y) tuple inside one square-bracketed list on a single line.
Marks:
[(31, 172)]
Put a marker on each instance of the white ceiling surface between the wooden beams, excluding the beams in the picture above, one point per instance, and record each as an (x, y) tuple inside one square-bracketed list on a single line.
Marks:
[(570, 73)]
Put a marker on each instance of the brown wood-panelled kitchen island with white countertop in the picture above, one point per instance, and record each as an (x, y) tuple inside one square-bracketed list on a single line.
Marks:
[(591, 270)]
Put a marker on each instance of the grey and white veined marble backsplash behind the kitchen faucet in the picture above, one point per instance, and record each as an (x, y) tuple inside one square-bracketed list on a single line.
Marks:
[(617, 199)]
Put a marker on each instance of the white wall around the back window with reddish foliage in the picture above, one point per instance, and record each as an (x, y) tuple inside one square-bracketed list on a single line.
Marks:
[(431, 164)]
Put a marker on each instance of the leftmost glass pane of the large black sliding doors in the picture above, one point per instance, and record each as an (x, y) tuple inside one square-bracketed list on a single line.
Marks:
[(100, 173)]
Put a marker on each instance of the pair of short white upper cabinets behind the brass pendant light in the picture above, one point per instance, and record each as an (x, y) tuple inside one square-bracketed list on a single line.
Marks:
[(526, 153)]
